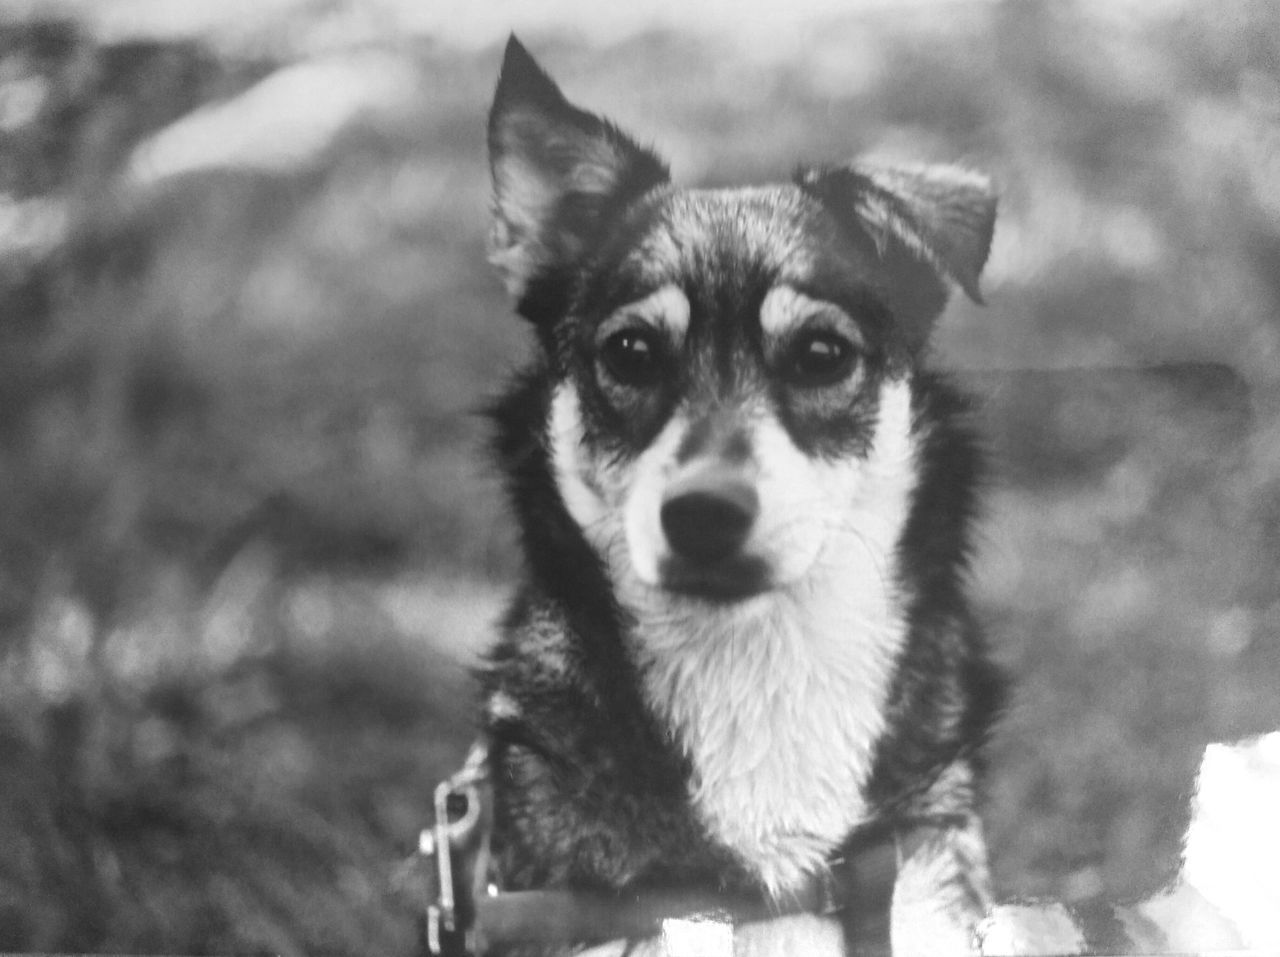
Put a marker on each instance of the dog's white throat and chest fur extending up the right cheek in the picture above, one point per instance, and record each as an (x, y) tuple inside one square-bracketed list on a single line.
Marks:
[(779, 702)]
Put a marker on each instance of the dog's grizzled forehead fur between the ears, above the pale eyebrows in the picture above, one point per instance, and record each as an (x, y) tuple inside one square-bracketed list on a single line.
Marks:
[(698, 236)]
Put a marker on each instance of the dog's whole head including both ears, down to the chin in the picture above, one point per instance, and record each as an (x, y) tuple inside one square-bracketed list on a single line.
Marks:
[(733, 401)]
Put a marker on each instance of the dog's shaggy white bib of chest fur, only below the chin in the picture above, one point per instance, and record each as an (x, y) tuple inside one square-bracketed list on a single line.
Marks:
[(779, 709)]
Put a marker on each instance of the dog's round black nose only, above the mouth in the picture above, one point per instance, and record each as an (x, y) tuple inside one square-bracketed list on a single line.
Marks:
[(708, 516)]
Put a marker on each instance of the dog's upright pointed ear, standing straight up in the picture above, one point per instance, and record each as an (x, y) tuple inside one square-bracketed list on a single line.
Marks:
[(557, 173)]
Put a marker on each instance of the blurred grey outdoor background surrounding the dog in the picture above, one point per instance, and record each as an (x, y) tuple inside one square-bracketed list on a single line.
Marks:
[(252, 542)]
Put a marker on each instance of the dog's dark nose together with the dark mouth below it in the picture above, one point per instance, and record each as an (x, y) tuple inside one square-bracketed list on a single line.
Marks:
[(707, 519)]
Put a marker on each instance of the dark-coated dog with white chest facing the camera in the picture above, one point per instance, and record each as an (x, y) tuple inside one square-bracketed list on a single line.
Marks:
[(742, 643)]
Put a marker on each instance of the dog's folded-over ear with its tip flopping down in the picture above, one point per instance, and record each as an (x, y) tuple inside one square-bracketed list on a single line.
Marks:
[(945, 216)]
